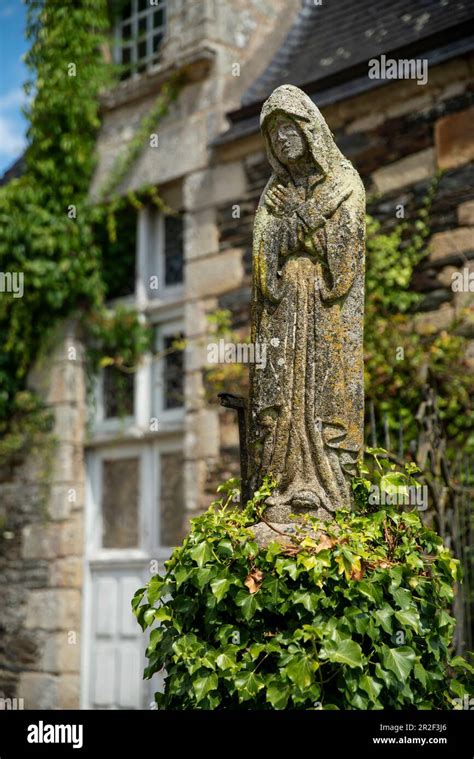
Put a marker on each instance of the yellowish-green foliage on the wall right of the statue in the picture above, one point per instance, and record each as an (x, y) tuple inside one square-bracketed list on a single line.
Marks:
[(398, 360)]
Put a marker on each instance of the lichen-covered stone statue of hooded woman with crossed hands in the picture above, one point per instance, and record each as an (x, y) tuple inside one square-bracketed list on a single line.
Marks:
[(306, 404)]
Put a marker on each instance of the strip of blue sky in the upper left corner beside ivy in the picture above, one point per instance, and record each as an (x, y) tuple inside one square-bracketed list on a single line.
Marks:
[(12, 76)]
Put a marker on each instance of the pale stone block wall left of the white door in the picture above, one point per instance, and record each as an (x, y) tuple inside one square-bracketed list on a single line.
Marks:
[(41, 556)]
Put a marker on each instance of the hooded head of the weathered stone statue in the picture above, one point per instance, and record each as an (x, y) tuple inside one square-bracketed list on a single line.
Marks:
[(291, 122)]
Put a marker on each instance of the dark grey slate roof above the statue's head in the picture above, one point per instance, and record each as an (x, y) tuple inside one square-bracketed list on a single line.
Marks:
[(329, 45)]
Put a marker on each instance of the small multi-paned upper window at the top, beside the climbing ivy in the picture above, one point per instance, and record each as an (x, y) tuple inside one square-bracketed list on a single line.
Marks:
[(139, 35)]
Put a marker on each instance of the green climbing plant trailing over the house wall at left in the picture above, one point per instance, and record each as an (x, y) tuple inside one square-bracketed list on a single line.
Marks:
[(49, 229)]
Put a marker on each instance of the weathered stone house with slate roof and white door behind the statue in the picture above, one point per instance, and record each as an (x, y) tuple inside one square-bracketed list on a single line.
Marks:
[(120, 488)]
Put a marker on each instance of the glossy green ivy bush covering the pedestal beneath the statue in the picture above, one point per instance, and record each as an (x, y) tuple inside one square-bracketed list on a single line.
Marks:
[(353, 614)]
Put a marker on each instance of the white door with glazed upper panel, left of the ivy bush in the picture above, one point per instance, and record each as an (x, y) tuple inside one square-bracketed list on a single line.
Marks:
[(122, 548)]
